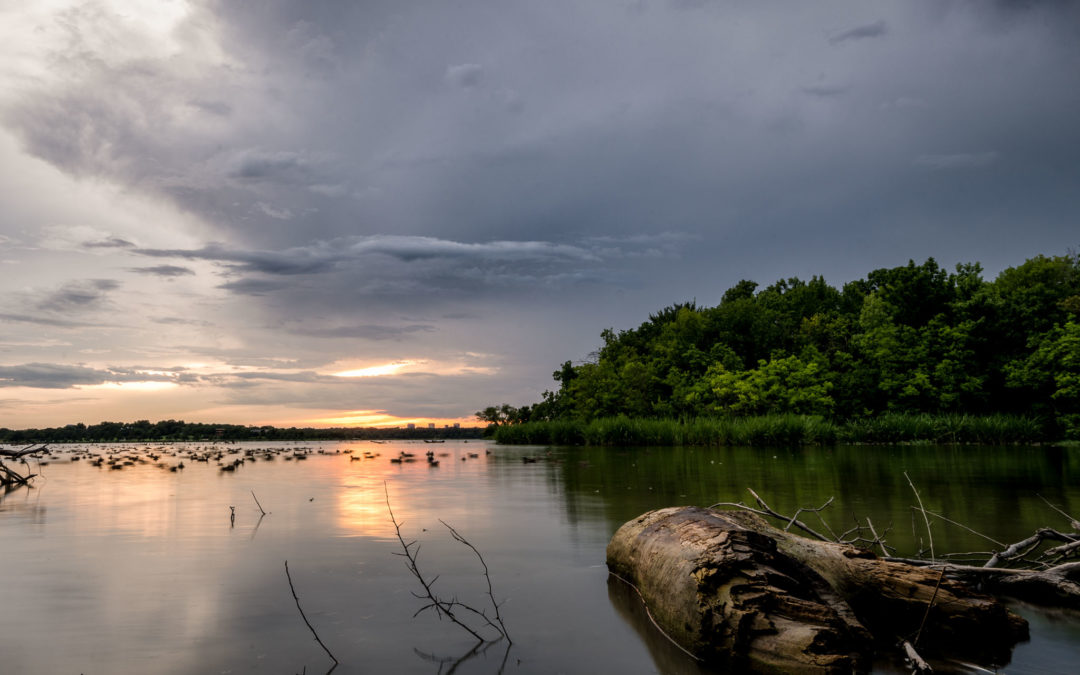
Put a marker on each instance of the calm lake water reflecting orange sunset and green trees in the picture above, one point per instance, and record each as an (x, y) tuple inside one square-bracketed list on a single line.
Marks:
[(141, 571)]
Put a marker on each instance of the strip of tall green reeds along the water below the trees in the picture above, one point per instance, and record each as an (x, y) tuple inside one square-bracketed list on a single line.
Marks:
[(785, 430)]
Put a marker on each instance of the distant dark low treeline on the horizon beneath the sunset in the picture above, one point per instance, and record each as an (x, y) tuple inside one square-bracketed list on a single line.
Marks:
[(179, 430)]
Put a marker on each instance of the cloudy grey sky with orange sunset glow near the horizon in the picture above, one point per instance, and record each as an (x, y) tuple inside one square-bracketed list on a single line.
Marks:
[(373, 213)]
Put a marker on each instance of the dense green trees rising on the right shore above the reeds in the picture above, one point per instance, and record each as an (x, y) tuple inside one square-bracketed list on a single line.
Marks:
[(909, 341)]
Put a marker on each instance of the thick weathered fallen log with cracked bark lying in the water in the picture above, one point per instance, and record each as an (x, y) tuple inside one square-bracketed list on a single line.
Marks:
[(736, 591)]
